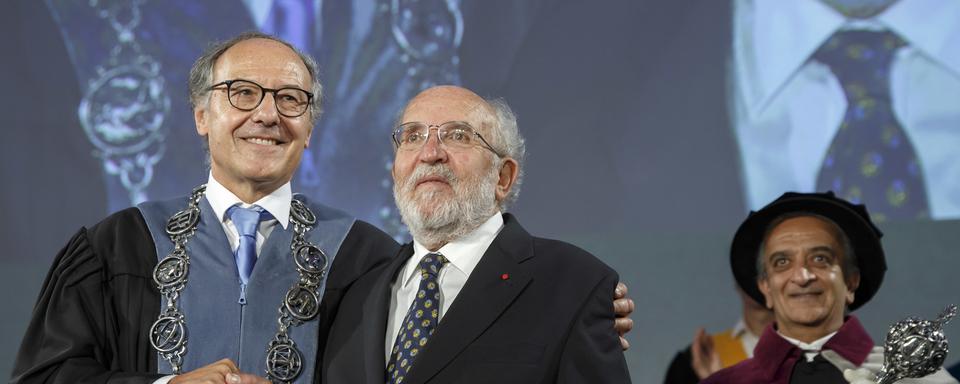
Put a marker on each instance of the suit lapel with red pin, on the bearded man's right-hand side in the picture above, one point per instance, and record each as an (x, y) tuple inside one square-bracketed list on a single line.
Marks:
[(484, 297)]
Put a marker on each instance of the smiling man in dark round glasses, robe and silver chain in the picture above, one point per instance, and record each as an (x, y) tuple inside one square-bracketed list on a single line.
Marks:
[(237, 282)]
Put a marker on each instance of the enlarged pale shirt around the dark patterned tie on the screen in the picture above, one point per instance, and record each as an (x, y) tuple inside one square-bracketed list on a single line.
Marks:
[(787, 108)]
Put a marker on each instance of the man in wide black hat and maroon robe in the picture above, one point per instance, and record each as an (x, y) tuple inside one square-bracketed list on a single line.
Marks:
[(811, 258)]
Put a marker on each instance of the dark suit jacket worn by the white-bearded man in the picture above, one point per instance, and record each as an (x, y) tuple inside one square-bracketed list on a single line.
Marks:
[(534, 310)]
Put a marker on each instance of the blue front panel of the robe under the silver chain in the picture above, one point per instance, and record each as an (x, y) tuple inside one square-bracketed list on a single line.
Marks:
[(217, 325)]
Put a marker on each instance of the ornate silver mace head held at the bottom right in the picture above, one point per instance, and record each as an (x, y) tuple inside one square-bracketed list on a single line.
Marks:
[(915, 347)]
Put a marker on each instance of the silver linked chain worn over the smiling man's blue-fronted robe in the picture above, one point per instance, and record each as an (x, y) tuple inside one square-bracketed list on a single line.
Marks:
[(300, 304)]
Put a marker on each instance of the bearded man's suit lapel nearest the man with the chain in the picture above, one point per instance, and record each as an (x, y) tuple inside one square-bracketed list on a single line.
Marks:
[(375, 312)]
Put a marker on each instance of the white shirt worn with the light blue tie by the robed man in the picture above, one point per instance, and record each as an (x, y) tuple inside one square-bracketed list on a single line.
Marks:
[(277, 203)]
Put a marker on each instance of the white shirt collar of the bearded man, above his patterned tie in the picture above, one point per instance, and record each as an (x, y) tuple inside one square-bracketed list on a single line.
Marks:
[(463, 253)]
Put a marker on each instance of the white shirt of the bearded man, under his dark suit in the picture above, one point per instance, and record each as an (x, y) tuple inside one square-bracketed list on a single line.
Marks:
[(463, 256)]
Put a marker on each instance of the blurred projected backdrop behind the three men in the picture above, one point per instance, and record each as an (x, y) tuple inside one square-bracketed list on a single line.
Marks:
[(653, 127)]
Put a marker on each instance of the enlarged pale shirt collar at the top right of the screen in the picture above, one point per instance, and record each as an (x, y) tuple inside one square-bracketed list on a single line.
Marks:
[(774, 38)]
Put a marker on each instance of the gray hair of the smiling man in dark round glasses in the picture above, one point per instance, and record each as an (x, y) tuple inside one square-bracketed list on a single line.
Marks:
[(201, 74)]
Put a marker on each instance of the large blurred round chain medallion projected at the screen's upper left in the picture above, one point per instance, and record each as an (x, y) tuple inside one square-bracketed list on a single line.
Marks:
[(126, 103)]
